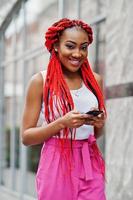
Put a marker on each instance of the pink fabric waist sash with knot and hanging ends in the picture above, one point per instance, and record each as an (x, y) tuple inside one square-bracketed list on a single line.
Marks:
[(91, 154)]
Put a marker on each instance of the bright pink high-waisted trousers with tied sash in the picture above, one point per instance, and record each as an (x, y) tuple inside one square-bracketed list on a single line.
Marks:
[(79, 176)]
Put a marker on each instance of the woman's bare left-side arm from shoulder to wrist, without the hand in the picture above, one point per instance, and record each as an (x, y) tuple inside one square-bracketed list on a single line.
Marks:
[(31, 134)]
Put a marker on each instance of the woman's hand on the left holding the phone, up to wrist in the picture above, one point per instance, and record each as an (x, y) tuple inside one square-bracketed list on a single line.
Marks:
[(73, 119)]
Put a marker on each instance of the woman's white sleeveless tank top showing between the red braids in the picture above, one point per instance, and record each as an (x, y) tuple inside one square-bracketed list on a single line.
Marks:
[(83, 100)]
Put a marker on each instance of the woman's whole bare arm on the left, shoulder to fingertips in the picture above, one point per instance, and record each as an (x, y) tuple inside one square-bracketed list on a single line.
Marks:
[(32, 135)]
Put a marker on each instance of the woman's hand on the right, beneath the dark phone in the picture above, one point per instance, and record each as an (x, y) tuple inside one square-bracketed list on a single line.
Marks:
[(96, 121)]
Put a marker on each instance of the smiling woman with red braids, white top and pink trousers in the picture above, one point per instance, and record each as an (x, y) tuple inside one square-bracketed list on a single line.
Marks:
[(71, 166)]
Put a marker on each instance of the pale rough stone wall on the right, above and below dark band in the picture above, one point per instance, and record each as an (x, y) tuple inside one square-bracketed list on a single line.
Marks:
[(119, 69)]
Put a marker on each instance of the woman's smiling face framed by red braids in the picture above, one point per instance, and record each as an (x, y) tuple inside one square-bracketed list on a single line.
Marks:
[(73, 48)]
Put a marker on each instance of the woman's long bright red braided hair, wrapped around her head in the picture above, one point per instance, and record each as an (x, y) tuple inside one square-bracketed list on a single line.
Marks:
[(56, 91)]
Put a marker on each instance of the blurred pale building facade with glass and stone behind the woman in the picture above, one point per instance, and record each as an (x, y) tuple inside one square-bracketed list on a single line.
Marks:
[(23, 54)]
